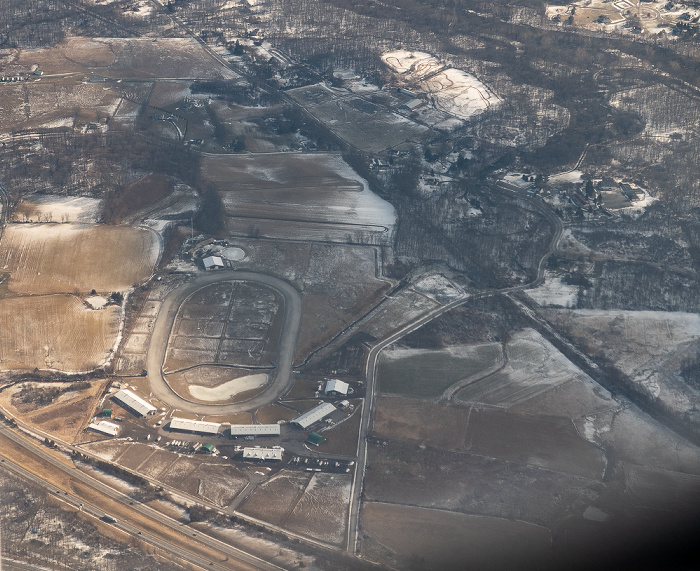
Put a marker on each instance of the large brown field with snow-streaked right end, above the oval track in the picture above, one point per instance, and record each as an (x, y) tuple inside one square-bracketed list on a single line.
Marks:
[(319, 189)]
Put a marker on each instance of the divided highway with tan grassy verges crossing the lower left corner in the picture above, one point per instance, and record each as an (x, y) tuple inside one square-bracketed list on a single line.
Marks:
[(50, 469)]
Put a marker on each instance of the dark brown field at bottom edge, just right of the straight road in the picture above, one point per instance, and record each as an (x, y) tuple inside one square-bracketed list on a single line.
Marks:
[(445, 540)]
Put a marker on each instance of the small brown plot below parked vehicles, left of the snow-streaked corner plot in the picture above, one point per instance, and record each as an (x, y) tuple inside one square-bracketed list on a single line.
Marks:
[(273, 500)]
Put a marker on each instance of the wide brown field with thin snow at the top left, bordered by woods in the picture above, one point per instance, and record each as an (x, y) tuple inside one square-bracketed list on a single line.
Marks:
[(138, 58)]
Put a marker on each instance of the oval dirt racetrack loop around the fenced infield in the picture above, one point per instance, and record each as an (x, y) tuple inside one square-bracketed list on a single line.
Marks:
[(285, 351)]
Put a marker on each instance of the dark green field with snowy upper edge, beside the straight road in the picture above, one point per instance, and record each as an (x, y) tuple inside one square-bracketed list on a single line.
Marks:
[(425, 373)]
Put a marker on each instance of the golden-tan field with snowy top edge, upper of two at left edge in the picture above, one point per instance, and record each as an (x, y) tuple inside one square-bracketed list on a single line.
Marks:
[(64, 258)]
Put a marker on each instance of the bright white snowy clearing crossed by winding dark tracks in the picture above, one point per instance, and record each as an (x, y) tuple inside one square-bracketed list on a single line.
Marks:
[(451, 90)]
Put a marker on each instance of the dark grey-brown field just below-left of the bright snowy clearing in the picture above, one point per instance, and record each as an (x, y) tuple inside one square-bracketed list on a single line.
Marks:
[(364, 125)]
